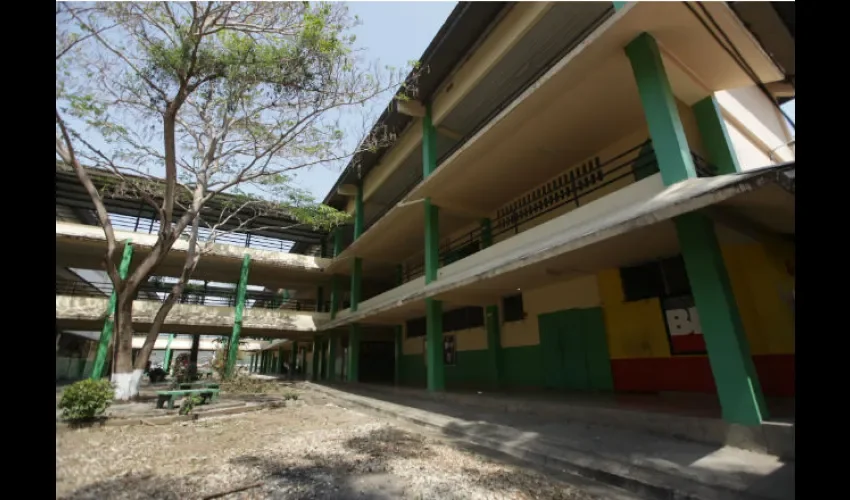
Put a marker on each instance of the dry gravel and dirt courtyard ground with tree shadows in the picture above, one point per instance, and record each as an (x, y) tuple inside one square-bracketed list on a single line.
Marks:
[(310, 450)]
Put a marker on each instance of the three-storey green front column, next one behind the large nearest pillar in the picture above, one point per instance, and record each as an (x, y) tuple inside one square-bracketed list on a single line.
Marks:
[(433, 308)]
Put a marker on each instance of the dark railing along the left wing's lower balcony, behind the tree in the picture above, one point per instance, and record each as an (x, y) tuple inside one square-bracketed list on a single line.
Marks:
[(212, 296)]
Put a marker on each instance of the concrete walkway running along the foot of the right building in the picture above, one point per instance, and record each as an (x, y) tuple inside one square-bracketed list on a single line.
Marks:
[(652, 466)]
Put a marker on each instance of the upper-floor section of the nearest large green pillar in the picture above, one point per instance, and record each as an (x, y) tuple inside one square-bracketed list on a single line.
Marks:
[(662, 115)]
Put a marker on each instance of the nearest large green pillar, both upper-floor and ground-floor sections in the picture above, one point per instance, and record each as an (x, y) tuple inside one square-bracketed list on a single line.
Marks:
[(737, 384)]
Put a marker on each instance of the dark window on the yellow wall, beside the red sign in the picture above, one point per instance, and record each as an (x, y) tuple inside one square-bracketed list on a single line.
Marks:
[(665, 278)]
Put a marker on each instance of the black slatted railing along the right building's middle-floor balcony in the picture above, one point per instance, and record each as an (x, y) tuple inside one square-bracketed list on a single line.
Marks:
[(569, 188)]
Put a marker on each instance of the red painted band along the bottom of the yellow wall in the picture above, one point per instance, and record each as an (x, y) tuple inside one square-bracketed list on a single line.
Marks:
[(693, 374)]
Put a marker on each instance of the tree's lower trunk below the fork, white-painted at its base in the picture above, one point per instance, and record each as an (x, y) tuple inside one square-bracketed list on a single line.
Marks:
[(124, 377)]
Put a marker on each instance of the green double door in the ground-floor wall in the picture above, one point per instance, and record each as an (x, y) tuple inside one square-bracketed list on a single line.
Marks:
[(574, 350)]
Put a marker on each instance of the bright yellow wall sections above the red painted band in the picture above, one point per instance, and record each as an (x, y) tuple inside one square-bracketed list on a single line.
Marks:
[(762, 289)]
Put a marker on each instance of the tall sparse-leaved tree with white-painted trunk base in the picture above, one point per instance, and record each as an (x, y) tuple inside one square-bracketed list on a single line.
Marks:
[(183, 102)]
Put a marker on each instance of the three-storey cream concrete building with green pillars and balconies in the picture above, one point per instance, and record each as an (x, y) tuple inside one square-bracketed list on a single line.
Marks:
[(583, 196)]
